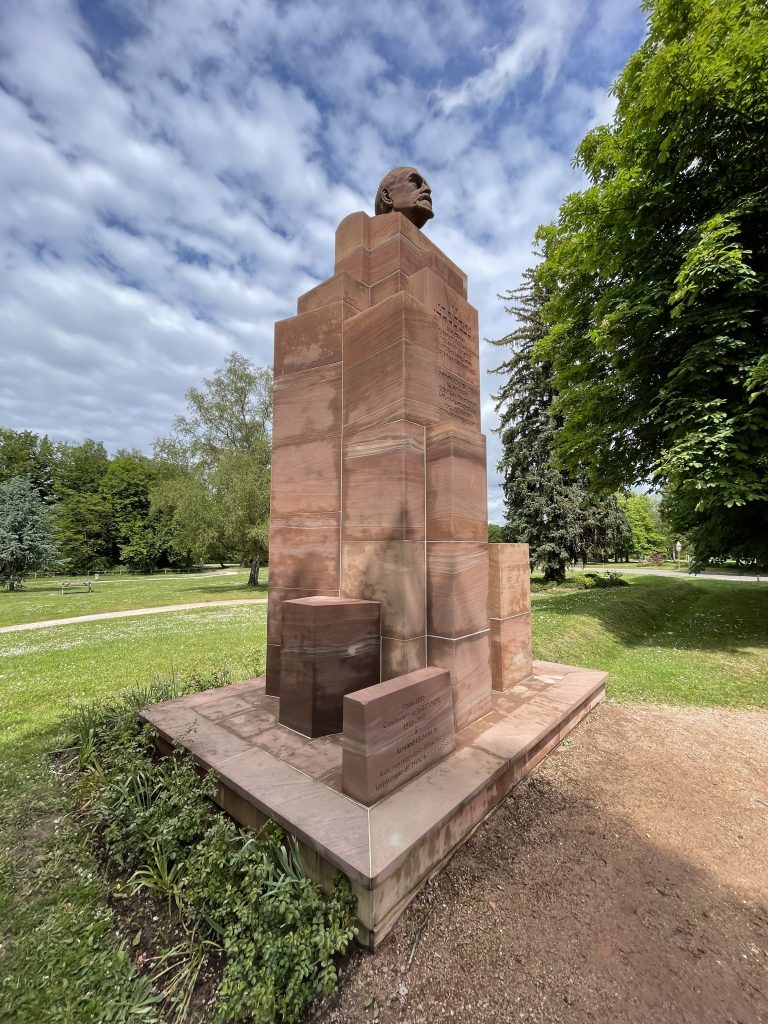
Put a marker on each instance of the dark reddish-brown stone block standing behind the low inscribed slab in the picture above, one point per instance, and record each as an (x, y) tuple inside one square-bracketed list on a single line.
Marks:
[(330, 649)]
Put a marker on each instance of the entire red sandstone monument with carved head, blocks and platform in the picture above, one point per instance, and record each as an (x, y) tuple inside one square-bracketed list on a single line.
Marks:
[(402, 702)]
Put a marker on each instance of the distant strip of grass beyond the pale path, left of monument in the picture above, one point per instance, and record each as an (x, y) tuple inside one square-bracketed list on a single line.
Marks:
[(44, 600)]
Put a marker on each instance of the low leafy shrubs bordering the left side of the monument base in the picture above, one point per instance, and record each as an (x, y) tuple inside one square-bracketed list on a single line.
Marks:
[(236, 893)]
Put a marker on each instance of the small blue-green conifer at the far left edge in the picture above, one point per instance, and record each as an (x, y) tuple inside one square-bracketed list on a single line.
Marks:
[(26, 532)]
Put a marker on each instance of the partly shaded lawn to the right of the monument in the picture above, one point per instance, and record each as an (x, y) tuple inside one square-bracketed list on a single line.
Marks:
[(664, 641)]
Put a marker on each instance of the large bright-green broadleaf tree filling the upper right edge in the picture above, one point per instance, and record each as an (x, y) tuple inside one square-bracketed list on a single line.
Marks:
[(658, 278)]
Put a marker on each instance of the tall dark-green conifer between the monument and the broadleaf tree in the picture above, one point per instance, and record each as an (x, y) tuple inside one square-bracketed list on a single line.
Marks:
[(549, 509)]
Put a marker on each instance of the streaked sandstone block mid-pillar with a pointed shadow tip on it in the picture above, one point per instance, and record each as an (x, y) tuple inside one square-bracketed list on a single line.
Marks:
[(383, 473)]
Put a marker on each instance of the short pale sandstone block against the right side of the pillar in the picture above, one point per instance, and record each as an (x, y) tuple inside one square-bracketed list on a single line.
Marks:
[(509, 603)]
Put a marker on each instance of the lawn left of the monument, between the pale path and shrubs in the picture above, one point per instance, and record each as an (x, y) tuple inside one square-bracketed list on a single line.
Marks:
[(61, 957)]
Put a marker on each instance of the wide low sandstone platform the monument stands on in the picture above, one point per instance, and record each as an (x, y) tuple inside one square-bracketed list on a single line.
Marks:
[(389, 851)]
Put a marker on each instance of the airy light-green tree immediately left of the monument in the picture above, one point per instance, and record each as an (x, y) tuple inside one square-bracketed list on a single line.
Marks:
[(215, 468)]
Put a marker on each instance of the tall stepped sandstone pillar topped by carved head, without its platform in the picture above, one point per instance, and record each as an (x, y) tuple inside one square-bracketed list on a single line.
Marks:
[(379, 489)]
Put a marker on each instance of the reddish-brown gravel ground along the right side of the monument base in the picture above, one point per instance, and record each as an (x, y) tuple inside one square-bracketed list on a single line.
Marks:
[(625, 883)]
